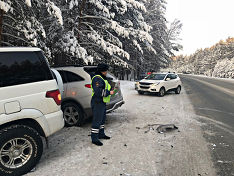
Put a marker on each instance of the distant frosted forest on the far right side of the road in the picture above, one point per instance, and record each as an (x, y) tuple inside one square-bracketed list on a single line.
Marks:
[(216, 61)]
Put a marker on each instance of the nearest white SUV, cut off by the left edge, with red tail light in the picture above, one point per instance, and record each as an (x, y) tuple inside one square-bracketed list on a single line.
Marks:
[(29, 108)]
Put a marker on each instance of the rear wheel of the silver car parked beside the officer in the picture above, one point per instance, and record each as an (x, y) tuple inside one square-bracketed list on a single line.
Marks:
[(72, 114)]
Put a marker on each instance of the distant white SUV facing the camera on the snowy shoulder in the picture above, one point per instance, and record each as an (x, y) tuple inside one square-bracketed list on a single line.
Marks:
[(159, 83)]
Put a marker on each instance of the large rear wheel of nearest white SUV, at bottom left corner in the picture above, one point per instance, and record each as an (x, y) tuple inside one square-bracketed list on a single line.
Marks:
[(21, 148)]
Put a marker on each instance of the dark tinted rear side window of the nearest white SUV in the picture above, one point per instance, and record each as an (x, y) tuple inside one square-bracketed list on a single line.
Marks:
[(22, 68)]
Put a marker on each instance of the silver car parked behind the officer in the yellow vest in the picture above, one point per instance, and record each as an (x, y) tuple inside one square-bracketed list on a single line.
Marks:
[(77, 93)]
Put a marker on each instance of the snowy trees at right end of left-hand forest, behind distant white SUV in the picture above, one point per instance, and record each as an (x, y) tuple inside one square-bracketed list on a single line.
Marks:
[(164, 38)]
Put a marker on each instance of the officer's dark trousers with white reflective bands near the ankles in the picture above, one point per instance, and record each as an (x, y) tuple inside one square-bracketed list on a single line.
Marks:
[(99, 118)]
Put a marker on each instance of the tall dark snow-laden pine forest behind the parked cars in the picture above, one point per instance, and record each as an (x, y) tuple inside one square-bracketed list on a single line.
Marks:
[(128, 34)]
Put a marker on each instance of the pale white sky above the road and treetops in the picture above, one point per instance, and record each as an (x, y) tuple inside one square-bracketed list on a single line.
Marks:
[(205, 22)]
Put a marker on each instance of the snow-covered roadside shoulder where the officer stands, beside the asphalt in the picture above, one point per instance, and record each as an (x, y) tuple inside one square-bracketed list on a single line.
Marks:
[(135, 149)]
